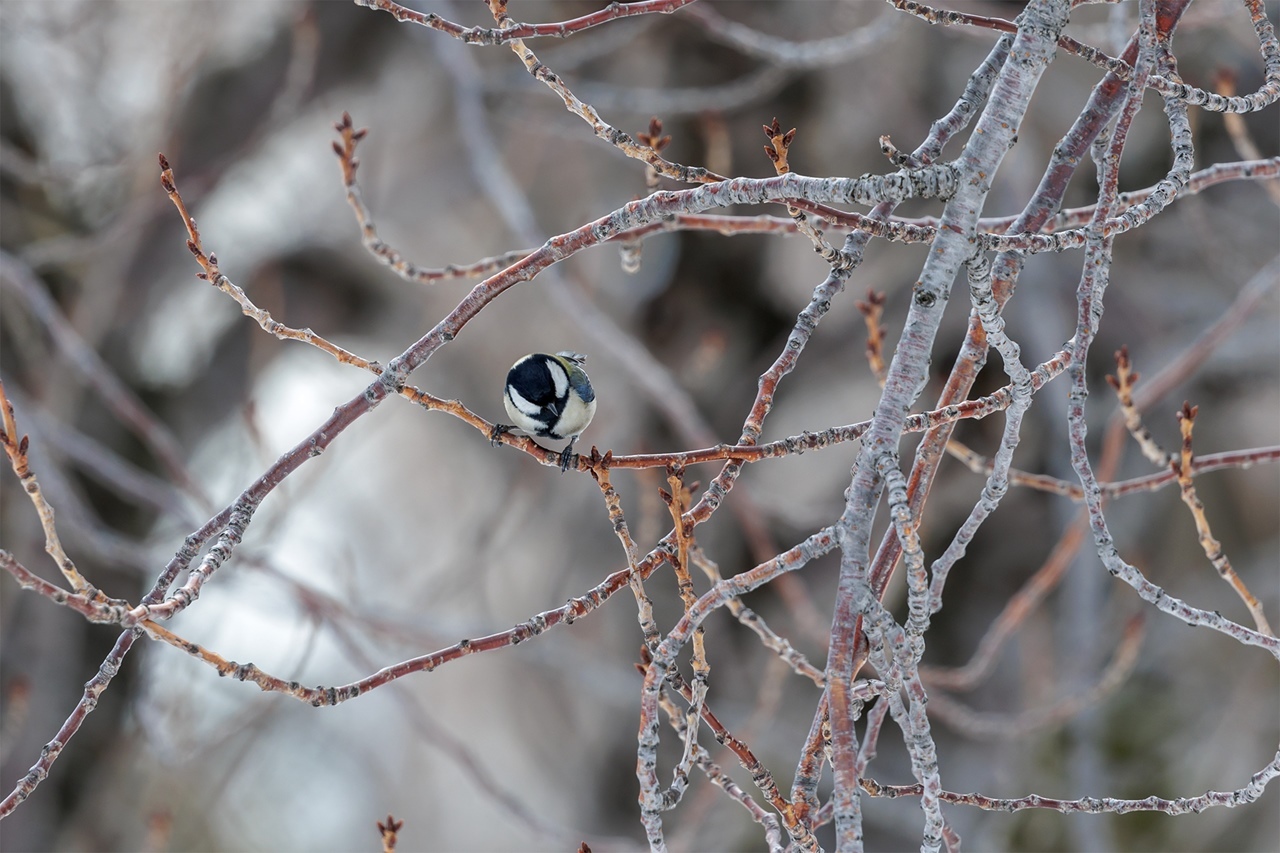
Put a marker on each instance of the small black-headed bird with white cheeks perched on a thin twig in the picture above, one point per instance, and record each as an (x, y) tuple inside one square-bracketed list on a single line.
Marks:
[(550, 396)]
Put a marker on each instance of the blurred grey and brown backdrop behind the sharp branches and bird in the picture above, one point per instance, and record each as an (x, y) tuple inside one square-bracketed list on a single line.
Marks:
[(413, 532)]
